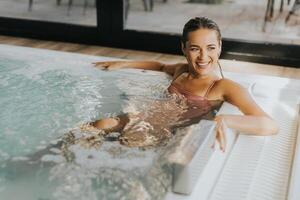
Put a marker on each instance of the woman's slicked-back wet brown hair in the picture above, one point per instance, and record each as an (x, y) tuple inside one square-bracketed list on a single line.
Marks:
[(199, 23)]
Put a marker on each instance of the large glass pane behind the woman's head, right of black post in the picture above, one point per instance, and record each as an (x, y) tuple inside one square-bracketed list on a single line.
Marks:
[(238, 19)]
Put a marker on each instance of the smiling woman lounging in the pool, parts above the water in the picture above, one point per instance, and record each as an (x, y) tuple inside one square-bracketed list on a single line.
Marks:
[(196, 83)]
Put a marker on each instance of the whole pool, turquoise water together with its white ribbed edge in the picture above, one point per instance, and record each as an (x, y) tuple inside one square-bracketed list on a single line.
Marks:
[(46, 94)]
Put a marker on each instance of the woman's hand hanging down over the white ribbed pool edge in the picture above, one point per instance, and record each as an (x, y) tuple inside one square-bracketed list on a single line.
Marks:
[(221, 129)]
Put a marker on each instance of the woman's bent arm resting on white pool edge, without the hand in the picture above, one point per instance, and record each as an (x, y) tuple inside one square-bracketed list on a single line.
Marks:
[(254, 121)]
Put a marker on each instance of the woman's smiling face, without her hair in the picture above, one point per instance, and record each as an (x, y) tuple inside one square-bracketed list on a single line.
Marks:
[(202, 51)]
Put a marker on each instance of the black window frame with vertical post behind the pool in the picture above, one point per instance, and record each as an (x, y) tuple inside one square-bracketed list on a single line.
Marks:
[(110, 31)]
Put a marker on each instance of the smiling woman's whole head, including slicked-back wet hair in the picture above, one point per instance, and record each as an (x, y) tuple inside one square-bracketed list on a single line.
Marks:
[(201, 47)]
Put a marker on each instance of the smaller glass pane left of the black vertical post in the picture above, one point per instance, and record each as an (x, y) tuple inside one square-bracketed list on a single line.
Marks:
[(81, 12)]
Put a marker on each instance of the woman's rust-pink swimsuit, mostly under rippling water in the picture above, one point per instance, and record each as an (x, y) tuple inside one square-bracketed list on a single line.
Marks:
[(155, 125)]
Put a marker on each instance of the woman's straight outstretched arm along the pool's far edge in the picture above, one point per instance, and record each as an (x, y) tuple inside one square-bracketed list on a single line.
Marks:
[(147, 65)]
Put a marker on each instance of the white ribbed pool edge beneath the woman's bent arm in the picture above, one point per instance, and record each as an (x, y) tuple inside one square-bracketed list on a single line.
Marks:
[(263, 170)]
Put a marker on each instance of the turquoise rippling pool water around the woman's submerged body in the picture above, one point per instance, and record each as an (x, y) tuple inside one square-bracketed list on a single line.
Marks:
[(44, 94)]
